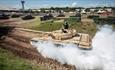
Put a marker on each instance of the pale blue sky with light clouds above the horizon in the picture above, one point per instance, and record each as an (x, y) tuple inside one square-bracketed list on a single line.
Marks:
[(56, 3)]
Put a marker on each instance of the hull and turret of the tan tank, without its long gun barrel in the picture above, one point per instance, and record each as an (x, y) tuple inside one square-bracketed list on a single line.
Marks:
[(58, 37)]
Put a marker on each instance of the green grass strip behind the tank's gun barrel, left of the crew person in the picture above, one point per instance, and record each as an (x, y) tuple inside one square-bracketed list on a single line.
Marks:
[(42, 25)]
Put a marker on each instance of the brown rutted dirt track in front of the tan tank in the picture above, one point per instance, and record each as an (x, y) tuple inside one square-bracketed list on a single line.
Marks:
[(18, 43)]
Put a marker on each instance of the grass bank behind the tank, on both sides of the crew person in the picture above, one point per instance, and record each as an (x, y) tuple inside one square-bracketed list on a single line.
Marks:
[(82, 27)]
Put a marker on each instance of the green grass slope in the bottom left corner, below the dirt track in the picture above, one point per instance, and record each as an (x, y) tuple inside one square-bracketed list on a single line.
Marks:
[(8, 61)]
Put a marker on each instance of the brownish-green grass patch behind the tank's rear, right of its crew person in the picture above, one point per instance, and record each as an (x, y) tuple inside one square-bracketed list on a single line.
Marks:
[(89, 28)]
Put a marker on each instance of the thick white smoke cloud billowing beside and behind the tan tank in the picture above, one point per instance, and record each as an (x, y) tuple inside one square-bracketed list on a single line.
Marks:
[(101, 57)]
